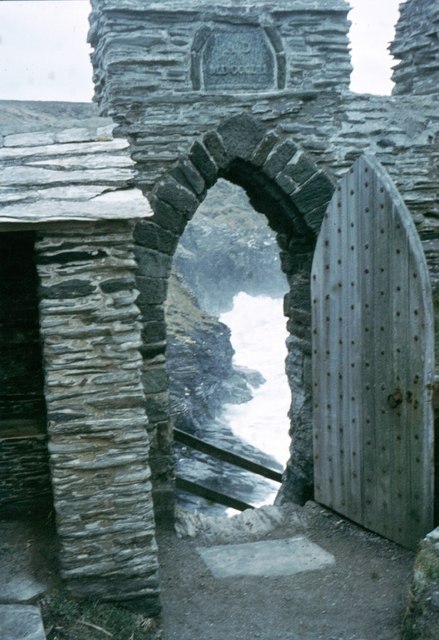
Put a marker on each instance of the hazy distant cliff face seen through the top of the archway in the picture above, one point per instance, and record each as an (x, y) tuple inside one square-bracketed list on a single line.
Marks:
[(228, 248)]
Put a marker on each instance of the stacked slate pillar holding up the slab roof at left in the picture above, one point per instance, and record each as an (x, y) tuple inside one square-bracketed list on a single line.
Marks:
[(98, 442)]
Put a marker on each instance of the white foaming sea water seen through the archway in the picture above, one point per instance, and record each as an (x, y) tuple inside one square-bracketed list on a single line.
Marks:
[(258, 334)]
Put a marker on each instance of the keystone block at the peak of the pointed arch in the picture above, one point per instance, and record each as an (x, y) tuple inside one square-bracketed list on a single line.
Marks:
[(241, 135)]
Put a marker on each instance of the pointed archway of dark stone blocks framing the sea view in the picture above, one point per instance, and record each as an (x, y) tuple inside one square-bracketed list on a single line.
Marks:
[(283, 183)]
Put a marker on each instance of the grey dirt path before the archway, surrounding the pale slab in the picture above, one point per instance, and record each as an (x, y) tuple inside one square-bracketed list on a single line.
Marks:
[(361, 597)]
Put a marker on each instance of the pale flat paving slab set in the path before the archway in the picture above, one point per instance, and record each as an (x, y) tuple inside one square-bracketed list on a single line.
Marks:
[(265, 558)]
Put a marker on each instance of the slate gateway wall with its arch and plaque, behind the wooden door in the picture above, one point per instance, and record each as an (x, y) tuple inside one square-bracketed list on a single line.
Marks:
[(284, 142)]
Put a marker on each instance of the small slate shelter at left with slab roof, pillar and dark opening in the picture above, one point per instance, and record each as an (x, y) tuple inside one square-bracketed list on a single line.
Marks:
[(71, 335)]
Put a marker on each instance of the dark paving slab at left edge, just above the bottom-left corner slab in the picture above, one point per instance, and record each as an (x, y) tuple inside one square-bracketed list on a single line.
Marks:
[(18, 583)]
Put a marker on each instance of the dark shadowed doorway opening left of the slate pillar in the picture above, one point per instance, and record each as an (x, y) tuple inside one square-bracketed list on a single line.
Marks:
[(24, 468)]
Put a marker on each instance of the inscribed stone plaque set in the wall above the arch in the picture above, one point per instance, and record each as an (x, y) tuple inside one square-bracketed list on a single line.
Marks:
[(240, 57)]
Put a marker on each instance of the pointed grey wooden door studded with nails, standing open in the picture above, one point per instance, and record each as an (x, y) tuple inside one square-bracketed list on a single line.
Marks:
[(373, 360)]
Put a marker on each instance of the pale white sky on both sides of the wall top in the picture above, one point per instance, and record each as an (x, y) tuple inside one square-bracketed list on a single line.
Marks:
[(44, 54)]
